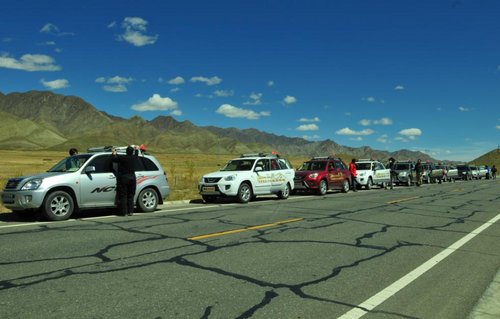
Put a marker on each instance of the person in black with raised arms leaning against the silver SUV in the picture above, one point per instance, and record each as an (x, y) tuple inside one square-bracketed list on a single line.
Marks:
[(126, 182)]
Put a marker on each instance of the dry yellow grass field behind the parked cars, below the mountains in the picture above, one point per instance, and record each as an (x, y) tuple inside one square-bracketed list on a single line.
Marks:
[(183, 170)]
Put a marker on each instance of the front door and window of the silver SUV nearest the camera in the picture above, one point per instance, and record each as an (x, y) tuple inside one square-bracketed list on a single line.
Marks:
[(98, 183)]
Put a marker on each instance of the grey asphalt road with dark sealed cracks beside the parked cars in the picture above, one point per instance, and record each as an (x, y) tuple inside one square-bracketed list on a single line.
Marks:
[(427, 252)]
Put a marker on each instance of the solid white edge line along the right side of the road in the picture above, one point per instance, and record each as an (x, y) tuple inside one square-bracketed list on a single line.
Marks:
[(391, 290)]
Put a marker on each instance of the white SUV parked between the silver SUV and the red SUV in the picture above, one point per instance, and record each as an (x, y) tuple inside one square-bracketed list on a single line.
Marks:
[(248, 176)]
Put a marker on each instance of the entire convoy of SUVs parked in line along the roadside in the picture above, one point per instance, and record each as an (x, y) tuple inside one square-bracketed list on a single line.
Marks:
[(88, 181)]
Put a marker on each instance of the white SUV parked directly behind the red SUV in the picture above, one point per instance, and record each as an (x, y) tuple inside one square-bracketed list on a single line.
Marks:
[(372, 172)]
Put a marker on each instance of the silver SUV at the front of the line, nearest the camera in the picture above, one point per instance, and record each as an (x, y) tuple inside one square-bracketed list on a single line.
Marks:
[(85, 181)]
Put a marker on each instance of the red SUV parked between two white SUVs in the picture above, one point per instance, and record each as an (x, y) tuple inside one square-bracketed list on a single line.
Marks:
[(321, 174)]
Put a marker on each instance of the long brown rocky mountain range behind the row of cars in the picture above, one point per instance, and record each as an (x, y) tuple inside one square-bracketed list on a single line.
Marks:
[(44, 120)]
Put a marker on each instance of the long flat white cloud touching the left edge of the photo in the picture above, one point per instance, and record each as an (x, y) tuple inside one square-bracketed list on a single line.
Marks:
[(29, 62)]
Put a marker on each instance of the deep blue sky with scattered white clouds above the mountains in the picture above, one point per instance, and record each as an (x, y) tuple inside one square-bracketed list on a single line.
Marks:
[(421, 75)]
